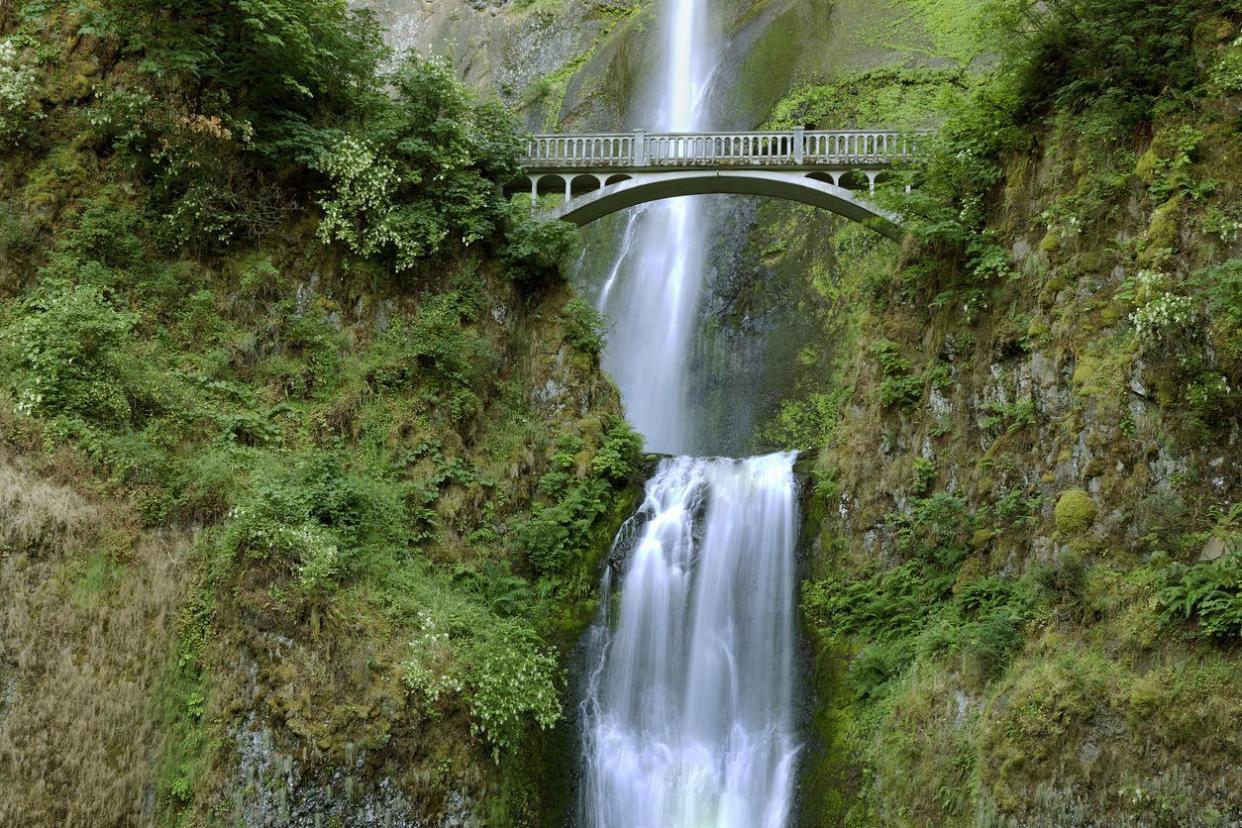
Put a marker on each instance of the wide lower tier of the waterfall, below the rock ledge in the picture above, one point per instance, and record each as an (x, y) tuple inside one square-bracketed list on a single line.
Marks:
[(687, 718)]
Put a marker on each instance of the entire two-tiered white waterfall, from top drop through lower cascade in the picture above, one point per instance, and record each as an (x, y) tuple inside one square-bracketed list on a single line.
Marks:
[(687, 718)]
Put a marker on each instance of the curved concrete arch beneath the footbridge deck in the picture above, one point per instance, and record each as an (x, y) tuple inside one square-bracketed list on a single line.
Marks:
[(791, 187)]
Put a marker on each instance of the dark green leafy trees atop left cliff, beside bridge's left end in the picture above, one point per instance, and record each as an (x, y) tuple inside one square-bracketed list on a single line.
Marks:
[(289, 90)]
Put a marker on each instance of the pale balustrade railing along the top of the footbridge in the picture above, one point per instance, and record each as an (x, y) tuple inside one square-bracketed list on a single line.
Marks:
[(783, 148)]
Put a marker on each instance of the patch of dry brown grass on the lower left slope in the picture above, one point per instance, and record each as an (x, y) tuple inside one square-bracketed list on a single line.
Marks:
[(85, 646)]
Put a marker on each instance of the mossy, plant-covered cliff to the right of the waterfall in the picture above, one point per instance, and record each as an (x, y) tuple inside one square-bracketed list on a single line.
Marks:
[(1023, 527)]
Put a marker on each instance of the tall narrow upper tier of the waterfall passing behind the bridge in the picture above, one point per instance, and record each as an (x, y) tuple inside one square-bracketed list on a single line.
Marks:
[(661, 265)]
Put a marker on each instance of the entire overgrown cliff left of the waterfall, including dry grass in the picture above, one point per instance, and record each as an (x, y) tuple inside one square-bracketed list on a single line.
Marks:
[(309, 465)]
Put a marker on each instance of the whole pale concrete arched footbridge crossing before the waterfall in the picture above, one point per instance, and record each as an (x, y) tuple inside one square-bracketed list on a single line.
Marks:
[(604, 173)]
